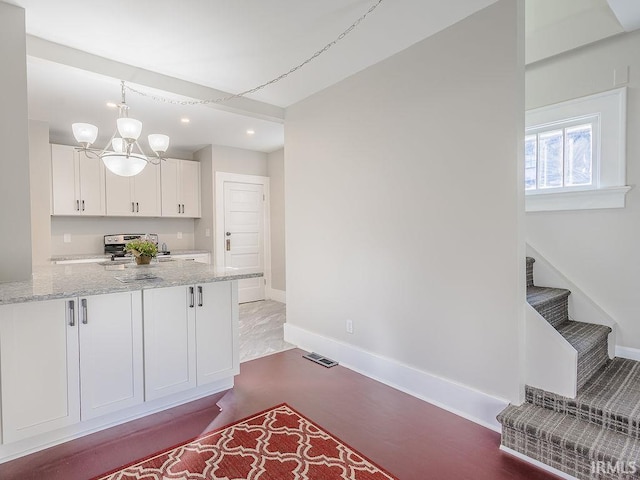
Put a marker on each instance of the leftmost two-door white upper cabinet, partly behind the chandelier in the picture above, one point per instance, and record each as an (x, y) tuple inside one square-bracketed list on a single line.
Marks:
[(78, 182)]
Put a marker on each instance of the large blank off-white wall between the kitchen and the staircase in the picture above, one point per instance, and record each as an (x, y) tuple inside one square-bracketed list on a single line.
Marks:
[(404, 202)]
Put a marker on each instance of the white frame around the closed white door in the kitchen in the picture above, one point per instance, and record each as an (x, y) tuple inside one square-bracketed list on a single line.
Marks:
[(221, 178)]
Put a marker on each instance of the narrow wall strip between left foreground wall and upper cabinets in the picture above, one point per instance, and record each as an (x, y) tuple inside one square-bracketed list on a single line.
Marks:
[(40, 187)]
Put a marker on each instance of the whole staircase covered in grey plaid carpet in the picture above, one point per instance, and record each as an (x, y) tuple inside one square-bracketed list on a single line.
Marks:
[(595, 435)]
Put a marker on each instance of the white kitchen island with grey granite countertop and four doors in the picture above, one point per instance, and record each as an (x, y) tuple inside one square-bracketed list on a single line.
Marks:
[(87, 346)]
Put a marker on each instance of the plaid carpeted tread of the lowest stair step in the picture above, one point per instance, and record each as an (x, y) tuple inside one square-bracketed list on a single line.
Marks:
[(570, 434)]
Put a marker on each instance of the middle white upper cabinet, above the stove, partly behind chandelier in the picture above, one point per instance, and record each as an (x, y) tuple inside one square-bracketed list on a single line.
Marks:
[(137, 196)]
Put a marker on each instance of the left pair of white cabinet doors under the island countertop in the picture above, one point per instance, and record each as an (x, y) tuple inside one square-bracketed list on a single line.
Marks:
[(65, 361)]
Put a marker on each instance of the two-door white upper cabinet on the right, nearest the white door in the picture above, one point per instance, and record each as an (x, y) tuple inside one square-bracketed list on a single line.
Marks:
[(180, 188)]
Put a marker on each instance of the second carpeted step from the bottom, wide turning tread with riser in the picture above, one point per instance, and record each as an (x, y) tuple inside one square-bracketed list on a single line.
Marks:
[(611, 398)]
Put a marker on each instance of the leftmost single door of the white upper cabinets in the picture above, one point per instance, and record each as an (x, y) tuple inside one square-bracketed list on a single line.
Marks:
[(65, 181)]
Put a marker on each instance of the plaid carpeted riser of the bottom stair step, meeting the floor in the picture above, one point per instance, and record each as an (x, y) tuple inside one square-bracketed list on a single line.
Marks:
[(564, 460)]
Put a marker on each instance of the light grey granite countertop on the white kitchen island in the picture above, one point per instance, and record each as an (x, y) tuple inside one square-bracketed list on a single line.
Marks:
[(62, 281)]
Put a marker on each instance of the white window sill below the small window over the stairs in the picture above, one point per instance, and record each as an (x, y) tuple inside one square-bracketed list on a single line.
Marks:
[(607, 197)]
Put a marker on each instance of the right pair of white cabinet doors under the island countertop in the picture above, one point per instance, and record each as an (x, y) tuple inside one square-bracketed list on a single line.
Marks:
[(190, 337)]
